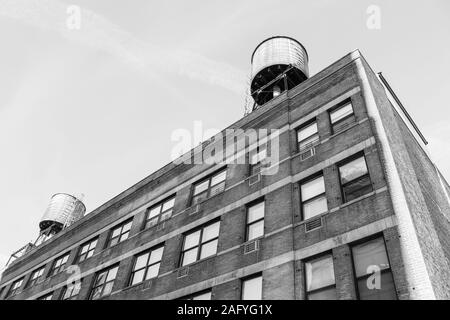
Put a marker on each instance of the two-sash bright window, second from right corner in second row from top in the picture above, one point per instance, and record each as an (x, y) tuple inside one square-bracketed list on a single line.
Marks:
[(313, 198)]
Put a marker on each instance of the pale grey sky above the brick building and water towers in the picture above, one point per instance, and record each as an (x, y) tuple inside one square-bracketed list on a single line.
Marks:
[(88, 106)]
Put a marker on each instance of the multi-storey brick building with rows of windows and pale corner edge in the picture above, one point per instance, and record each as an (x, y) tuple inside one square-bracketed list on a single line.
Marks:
[(356, 210)]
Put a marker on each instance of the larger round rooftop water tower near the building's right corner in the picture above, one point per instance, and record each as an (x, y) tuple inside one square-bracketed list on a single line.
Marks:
[(278, 64)]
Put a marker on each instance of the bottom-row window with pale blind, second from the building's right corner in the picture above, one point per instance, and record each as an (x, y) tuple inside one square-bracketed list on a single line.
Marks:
[(320, 282)]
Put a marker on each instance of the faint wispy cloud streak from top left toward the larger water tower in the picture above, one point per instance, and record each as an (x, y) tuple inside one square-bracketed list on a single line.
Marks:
[(100, 34)]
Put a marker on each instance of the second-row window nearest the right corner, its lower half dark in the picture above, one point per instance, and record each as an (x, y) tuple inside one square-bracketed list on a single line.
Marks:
[(355, 179)]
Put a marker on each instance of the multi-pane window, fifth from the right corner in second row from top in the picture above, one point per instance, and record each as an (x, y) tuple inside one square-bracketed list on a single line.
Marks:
[(146, 265)]
